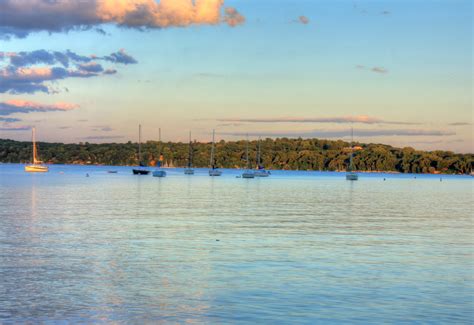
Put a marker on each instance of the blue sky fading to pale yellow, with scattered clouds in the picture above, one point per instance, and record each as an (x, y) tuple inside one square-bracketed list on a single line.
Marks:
[(398, 72)]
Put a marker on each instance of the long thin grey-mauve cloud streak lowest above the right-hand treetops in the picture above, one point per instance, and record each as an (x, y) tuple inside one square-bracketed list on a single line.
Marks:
[(341, 133)]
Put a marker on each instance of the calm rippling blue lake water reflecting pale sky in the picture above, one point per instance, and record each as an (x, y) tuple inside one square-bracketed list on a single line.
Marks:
[(298, 247)]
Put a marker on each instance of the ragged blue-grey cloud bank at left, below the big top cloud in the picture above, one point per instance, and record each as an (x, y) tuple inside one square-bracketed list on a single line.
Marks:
[(25, 72)]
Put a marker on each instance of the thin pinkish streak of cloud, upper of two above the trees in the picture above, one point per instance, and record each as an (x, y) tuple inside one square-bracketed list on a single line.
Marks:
[(364, 119)]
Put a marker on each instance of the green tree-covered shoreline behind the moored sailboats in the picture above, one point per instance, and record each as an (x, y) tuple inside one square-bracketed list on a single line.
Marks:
[(282, 153)]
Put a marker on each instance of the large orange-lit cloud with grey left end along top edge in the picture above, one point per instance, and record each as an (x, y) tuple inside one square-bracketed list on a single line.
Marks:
[(21, 17)]
